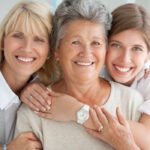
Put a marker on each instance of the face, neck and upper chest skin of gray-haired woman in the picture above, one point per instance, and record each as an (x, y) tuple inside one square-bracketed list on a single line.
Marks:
[(81, 54)]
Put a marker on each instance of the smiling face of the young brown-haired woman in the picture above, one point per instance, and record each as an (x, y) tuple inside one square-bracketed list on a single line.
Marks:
[(127, 53)]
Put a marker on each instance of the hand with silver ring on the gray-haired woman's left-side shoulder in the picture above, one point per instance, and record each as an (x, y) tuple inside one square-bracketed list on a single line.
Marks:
[(36, 96)]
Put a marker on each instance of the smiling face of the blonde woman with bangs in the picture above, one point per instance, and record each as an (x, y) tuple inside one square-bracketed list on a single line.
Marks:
[(25, 53)]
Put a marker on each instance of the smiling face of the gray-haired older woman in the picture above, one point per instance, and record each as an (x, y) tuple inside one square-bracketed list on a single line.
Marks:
[(81, 52)]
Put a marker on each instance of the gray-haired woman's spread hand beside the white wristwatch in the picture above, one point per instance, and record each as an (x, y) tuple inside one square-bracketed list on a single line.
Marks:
[(116, 131)]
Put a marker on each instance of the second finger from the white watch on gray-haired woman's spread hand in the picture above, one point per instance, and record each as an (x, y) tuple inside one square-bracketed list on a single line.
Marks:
[(102, 118)]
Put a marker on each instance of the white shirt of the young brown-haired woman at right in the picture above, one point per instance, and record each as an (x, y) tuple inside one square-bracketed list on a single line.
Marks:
[(141, 84)]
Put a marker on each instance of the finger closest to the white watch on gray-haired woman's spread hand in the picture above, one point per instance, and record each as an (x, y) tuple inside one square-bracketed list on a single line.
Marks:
[(94, 117)]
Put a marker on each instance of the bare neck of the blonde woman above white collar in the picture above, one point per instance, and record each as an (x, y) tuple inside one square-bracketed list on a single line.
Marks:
[(15, 81)]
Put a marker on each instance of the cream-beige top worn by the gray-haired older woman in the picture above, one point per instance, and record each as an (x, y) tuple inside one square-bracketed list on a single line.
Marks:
[(72, 136)]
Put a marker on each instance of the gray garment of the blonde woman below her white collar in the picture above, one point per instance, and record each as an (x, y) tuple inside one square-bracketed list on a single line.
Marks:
[(7, 123)]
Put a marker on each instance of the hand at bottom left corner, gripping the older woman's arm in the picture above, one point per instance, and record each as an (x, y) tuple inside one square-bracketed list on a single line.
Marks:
[(25, 141)]
